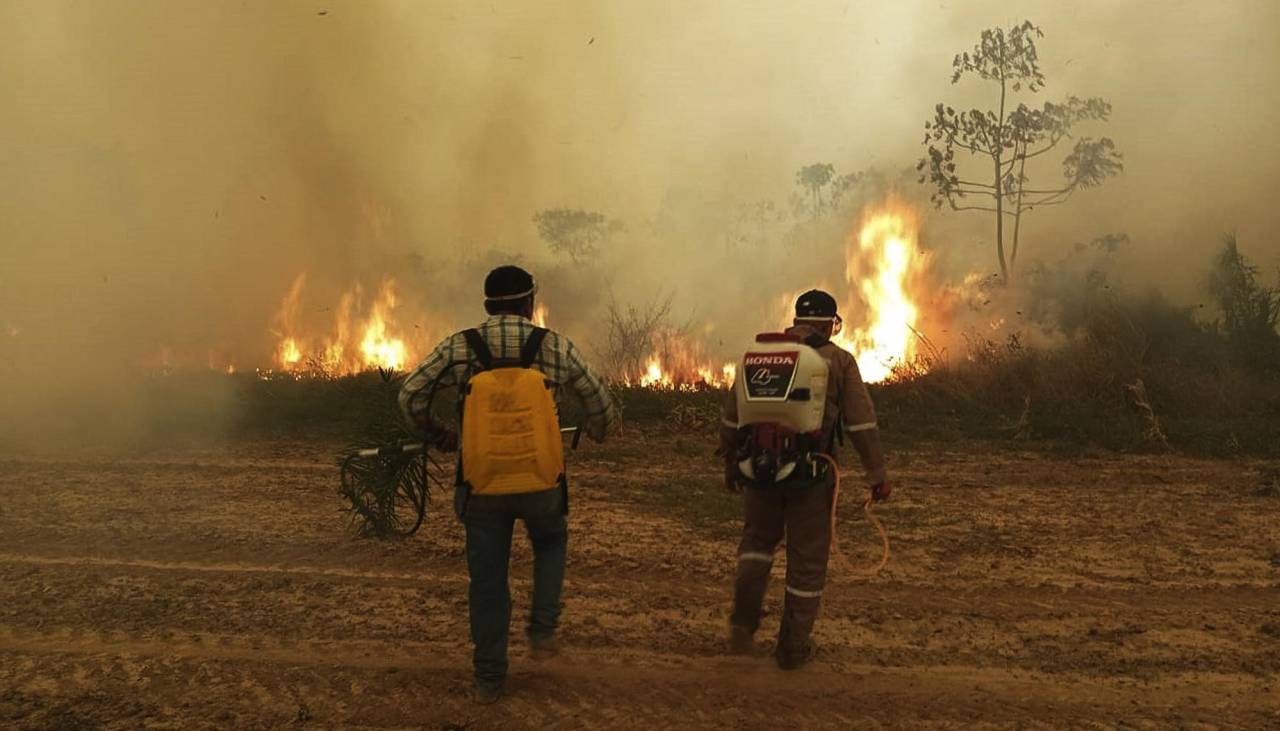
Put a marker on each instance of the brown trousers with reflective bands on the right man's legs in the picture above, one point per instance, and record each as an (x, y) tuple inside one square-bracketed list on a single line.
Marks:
[(803, 515)]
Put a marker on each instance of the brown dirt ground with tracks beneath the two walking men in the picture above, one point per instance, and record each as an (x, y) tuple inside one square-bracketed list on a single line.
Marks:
[(217, 590)]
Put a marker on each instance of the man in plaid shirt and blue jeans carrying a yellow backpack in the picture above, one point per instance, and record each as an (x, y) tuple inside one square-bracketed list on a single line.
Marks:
[(490, 520)]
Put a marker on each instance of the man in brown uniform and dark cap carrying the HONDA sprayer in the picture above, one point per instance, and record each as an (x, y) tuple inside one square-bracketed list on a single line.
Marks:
[(802, 513)]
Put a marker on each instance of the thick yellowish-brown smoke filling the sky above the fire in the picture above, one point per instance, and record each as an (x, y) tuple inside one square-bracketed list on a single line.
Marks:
[(171, 168)]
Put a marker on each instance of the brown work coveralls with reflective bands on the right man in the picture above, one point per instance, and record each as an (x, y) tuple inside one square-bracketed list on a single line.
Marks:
[(801, 514)]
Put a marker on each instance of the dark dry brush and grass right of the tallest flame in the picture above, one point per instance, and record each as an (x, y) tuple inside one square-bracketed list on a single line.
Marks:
[(1141, 377)]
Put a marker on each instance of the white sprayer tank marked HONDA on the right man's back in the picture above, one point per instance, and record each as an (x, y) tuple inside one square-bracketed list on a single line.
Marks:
[(783, 382)]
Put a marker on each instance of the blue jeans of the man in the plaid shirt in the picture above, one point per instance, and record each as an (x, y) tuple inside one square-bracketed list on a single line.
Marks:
[(490, 522)]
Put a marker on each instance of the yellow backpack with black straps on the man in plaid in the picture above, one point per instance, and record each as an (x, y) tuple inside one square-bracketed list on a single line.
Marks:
[(511, 441)]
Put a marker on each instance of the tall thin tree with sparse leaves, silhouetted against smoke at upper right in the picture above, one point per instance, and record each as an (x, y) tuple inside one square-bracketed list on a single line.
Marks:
[(1002, 141)]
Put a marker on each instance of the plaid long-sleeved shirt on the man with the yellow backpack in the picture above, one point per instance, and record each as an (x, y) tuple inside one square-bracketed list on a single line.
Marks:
[(452, 363)]
